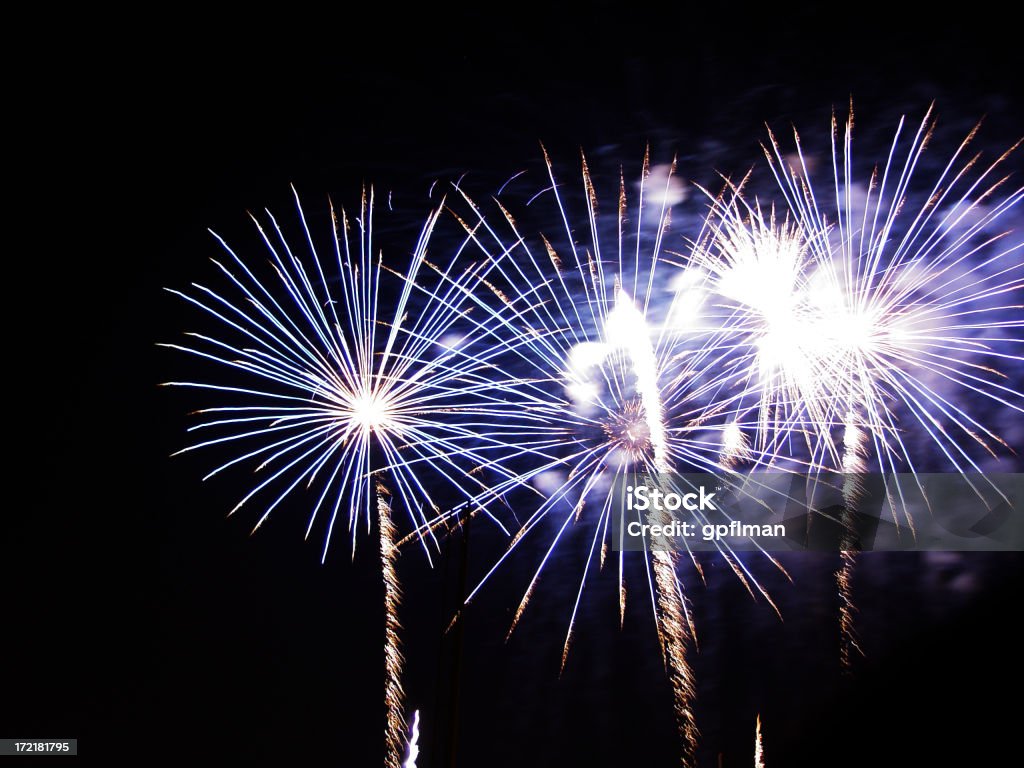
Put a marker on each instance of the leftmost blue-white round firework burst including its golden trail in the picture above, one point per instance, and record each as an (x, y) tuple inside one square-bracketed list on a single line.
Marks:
[(352, 381)]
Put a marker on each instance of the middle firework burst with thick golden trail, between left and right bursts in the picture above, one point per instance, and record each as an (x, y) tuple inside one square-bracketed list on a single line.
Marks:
[(607, 374)]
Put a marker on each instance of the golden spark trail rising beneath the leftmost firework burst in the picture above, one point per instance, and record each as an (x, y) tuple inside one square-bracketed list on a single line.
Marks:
[(395, 733)]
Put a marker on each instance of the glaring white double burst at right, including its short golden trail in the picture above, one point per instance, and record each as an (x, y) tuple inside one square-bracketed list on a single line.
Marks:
[(867, 318)]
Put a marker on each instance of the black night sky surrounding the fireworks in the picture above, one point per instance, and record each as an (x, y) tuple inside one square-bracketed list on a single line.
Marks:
[(142, 620)]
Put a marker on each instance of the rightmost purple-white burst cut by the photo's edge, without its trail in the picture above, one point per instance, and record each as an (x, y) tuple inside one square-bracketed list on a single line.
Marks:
[(916, 308)]
